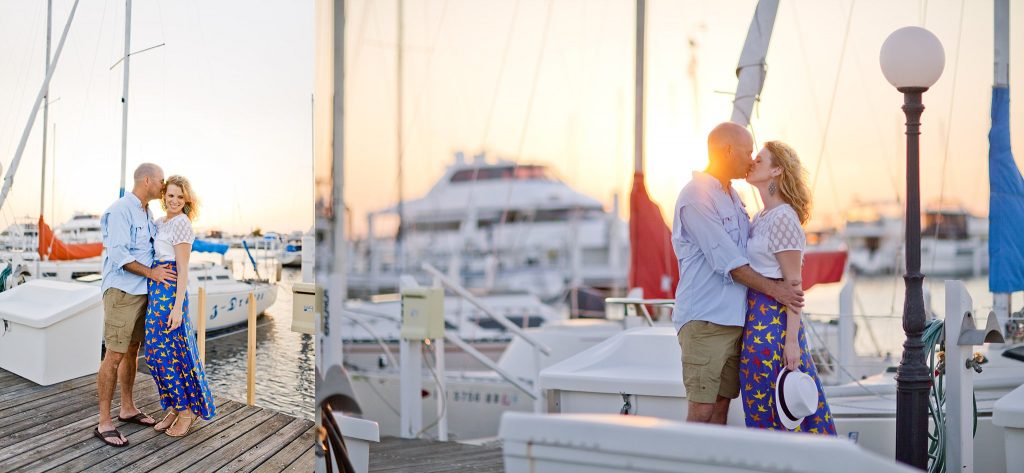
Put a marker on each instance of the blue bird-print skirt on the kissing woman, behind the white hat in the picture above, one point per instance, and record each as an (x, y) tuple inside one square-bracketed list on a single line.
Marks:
[(762, 360)]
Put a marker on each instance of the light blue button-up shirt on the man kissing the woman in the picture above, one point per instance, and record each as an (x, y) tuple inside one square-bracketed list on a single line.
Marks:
[(710, 230)]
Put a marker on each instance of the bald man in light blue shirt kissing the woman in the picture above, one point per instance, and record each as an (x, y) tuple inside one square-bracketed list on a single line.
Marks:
[(709, 234)]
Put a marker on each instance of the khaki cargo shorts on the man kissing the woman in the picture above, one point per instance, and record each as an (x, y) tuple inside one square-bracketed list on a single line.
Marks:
[(711, 361)]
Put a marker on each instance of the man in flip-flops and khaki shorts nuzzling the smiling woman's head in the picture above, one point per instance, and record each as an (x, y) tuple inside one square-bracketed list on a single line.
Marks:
[(129, 232)]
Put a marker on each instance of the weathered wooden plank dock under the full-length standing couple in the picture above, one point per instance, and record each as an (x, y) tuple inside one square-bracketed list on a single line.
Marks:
[(50, 428)]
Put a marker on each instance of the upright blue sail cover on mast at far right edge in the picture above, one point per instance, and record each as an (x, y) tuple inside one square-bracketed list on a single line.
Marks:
[(1006, 203)]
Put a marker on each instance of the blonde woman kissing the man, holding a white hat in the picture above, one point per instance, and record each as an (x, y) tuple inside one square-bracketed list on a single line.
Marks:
[(774, 339)]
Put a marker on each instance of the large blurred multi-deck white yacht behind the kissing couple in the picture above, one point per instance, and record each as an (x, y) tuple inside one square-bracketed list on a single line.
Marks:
[(497, 226)]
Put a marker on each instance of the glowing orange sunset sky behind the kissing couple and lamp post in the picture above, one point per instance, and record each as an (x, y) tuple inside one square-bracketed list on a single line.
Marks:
[(564, 95)]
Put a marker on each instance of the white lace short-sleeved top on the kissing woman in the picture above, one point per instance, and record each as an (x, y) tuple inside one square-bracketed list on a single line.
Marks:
[(773, 232)]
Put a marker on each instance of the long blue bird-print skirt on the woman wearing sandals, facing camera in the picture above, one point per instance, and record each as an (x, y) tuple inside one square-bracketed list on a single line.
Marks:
[(173, 356)]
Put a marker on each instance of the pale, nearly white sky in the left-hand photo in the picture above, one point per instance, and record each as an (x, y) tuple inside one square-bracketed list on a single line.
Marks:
[(227, 103)]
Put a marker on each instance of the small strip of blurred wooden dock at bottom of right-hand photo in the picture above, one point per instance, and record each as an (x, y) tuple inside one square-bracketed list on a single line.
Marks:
[(395, 455)]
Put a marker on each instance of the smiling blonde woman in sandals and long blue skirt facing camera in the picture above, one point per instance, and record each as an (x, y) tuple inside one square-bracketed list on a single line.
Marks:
[(172, 353)]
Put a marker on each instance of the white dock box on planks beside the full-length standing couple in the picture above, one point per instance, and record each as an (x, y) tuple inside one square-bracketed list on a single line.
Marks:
[(51, 331)]
